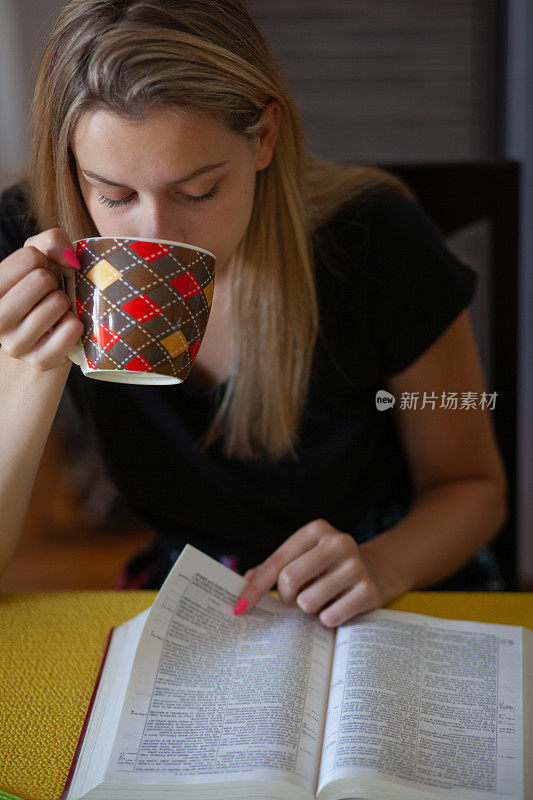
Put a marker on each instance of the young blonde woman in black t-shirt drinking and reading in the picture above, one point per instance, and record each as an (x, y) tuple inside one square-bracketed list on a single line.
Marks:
[(170, 120)]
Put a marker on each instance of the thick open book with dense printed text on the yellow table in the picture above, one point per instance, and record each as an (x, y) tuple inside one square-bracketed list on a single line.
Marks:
[(194, 702)]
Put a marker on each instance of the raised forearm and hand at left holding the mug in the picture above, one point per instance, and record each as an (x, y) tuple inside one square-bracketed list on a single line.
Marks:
[(37, 330)]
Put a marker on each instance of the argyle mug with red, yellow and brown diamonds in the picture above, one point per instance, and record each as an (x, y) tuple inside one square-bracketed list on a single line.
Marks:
[(144, 304)]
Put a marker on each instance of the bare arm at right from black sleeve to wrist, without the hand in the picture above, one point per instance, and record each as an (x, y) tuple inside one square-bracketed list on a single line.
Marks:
[(457, 471)]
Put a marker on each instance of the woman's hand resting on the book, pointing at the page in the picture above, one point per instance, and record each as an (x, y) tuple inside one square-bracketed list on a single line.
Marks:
[(323, 570)]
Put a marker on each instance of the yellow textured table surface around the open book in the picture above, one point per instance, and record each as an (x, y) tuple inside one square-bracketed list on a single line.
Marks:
[(51, 649)]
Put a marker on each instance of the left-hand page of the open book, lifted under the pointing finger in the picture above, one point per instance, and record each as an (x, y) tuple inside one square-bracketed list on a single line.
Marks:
[(213, 697)]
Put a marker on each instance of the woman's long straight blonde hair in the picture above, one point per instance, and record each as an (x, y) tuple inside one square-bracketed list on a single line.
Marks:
[(128, 56)]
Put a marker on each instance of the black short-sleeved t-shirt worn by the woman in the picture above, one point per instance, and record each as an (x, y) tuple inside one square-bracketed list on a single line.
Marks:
[(388, 286)]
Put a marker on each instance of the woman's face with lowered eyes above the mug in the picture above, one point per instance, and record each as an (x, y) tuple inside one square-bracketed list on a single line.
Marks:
[(177, 176)]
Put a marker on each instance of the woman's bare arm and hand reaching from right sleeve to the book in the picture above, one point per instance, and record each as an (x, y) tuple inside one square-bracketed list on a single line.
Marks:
[(459, 486)]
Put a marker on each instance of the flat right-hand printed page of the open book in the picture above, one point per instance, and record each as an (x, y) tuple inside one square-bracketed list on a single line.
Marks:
[(428, 703)]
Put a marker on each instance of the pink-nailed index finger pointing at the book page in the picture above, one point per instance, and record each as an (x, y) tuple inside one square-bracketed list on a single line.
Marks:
[(266, 574)]
